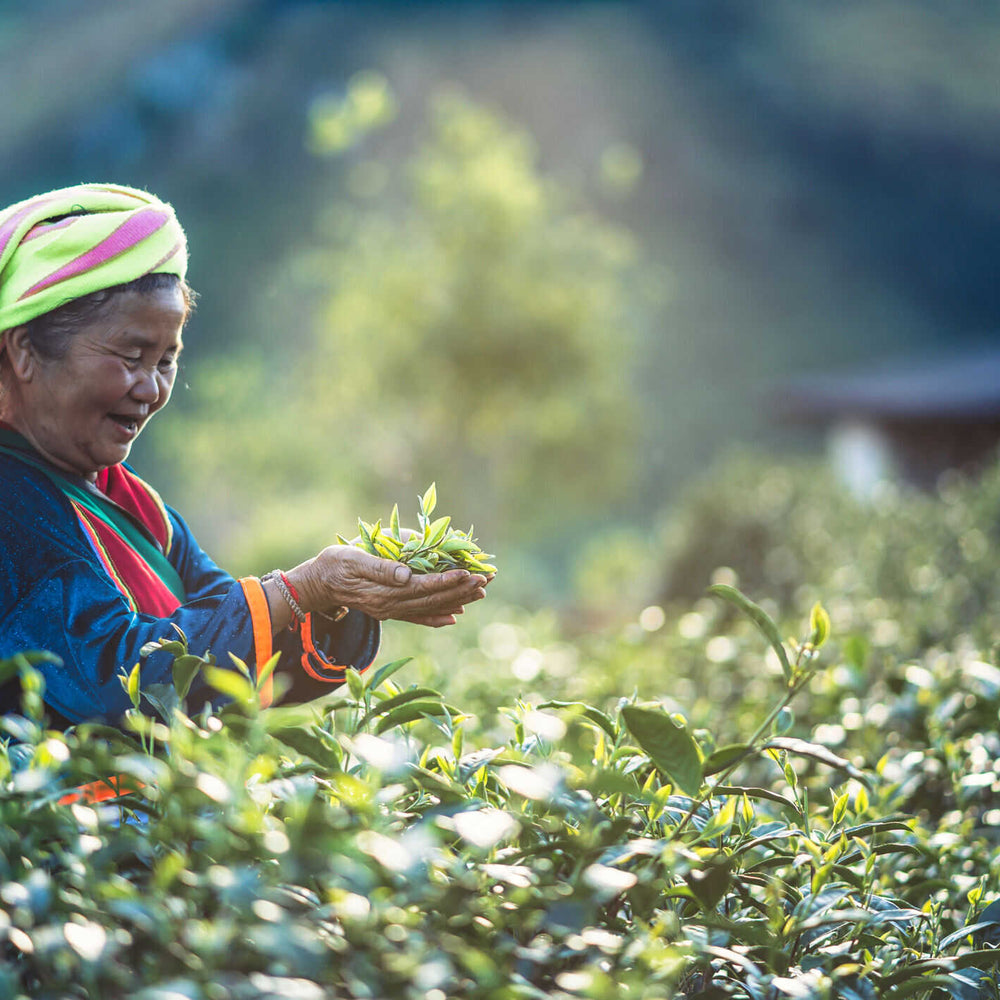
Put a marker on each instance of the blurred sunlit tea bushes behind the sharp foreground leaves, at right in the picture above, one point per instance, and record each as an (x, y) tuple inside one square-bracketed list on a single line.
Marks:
[(909, 580)]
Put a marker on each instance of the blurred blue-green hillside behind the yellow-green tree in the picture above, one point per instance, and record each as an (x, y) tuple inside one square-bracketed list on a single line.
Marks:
[(808, 185)]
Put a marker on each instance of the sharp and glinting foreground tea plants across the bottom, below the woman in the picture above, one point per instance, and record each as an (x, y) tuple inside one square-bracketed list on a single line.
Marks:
[(383, 842)]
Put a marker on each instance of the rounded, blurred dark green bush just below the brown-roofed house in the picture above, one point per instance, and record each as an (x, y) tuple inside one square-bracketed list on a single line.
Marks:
[(906, 567)]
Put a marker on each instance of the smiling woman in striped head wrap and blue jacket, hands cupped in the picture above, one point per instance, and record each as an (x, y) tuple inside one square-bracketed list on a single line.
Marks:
[(93, 564)]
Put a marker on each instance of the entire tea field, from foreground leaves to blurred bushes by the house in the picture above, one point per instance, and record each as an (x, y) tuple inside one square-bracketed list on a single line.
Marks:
[(692, 805)]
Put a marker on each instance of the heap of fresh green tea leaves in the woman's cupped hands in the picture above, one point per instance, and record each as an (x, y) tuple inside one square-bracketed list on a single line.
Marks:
[(434, 548)]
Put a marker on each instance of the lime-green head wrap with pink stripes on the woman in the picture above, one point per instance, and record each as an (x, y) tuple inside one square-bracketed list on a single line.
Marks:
[(68, 243)]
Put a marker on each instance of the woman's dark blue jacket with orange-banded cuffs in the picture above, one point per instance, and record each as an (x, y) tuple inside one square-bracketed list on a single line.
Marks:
[(55, 595)]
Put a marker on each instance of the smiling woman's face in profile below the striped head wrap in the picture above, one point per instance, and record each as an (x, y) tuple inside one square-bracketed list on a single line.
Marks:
[(84, 410)]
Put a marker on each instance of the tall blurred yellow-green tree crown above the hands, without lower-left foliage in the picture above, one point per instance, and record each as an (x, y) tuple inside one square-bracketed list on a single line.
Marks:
[(485, 317)]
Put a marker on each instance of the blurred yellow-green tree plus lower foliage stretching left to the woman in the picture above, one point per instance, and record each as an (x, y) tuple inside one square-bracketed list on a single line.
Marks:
[(462, 318)]
